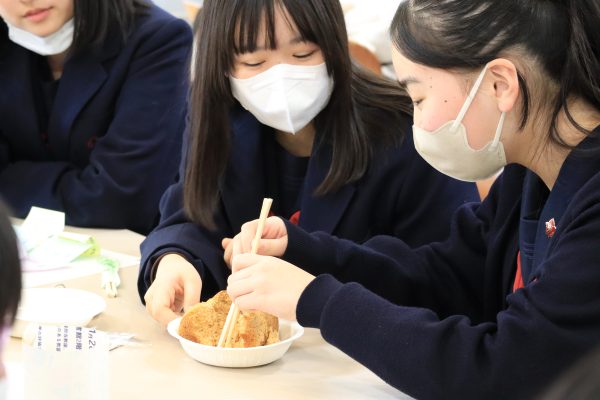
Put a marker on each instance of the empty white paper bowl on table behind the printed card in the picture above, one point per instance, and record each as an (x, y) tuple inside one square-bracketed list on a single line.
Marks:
[(56, 306)]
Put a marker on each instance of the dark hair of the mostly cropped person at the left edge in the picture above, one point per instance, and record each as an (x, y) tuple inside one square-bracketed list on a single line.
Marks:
[(10, 271)]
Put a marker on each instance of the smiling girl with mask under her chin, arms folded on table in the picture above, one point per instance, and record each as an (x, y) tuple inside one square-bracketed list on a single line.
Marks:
[(95, 130)]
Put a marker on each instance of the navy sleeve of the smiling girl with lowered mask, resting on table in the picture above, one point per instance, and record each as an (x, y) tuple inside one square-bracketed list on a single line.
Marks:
[(134, 161)]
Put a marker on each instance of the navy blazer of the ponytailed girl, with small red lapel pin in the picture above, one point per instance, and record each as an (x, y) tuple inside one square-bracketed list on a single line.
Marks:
[(442, 321)]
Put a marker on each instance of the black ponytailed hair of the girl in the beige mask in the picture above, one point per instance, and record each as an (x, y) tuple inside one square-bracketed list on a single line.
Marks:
[(562, 38)]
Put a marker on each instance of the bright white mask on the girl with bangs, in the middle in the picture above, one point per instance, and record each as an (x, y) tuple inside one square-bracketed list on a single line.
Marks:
[(285, 97)]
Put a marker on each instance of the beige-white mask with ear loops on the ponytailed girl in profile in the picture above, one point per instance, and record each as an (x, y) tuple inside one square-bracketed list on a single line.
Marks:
[(447, 148)]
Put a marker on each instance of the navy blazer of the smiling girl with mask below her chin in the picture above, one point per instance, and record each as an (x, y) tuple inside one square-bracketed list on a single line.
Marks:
[(113, 142)]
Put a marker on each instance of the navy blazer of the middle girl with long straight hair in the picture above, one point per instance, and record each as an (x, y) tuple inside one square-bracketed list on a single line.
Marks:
[(400, 195)]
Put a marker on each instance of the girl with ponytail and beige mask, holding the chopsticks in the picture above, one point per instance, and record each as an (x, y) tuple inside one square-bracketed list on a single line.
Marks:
[(512, 298)]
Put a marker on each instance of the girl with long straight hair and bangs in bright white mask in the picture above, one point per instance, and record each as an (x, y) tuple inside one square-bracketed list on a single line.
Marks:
[(278, 111)]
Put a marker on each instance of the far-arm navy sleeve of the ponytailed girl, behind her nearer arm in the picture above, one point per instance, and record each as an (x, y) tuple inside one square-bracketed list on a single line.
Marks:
[(389, 267)]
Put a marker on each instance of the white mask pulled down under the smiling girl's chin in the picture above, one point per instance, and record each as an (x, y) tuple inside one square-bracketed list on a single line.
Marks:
[(53, 44)]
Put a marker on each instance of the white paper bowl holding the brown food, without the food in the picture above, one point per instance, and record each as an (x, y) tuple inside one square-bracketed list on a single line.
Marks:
[(239, 357)]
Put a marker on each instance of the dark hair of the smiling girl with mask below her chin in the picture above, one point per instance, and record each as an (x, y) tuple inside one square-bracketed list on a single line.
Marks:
[(95, 20)]
